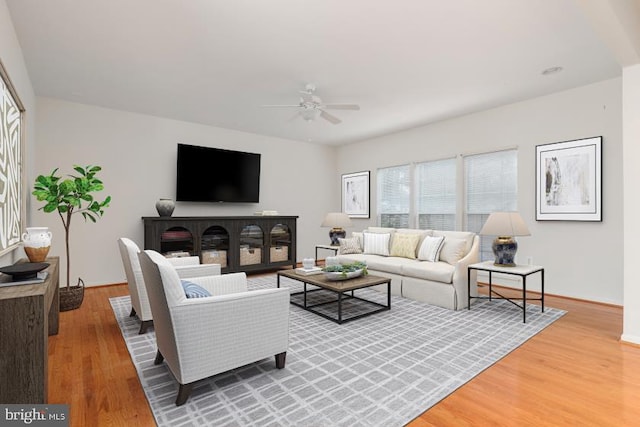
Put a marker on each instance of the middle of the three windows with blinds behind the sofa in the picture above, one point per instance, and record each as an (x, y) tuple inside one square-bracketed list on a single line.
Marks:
[(436, 197)]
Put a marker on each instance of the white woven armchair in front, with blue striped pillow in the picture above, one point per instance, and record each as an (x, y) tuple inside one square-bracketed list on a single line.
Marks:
[(201, 337)]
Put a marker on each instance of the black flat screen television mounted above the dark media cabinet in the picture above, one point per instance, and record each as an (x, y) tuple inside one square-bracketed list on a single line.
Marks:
[(206, 174)]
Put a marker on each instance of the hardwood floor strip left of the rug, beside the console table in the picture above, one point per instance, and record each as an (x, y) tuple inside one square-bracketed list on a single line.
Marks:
[(90, 368)]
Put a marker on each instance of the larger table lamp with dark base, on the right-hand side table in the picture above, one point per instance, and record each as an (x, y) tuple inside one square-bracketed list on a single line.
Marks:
[(505, 226)]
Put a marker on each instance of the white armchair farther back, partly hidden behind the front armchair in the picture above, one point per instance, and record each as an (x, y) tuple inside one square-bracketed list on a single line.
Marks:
[(186, 266)]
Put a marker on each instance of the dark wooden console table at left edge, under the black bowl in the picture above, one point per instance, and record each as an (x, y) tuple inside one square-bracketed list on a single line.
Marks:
[(28, 315)]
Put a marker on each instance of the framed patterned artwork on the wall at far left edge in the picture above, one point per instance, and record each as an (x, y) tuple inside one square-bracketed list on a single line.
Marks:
[(11, 174)]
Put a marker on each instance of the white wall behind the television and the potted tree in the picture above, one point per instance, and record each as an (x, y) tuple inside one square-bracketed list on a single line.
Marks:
[(138, 156)]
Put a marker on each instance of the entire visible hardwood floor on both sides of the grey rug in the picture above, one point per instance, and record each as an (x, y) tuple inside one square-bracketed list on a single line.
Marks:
[(575, 372)]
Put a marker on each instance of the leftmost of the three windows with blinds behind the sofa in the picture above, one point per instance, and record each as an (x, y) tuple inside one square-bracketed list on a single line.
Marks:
[(394, 196)]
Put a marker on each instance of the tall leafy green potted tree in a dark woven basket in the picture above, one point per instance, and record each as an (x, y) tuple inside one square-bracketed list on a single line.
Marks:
[(69, 196)]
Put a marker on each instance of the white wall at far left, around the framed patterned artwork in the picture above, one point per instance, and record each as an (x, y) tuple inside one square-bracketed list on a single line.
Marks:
[(11, 57)]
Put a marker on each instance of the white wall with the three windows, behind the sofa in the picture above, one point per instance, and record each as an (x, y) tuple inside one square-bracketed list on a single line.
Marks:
[(582, 260)]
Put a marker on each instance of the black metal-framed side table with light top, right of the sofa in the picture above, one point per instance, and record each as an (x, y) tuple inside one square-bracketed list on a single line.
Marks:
[(519, 270)]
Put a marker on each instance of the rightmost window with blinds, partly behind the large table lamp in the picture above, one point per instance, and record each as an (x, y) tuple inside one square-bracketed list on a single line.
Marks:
[(491, 184)]
